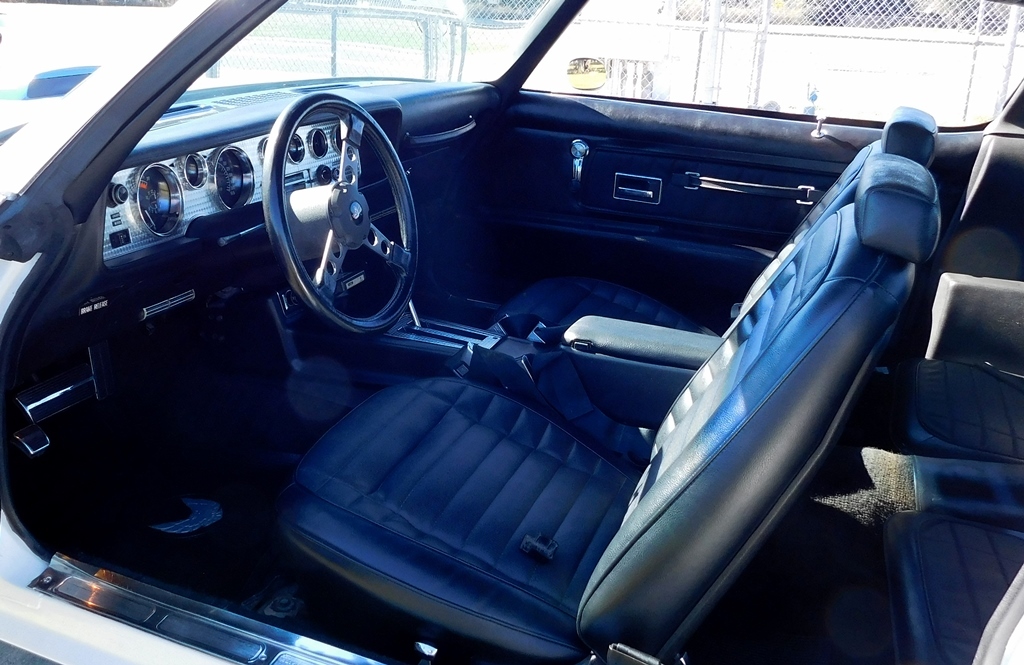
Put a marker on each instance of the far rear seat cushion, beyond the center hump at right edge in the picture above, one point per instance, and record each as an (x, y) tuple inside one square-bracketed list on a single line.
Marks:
[(960, 411)]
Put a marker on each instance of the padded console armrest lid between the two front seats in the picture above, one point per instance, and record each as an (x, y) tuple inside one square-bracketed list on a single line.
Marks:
[(642, 343)]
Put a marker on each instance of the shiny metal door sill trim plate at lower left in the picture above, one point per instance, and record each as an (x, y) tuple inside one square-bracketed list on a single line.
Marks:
[(183, 620)]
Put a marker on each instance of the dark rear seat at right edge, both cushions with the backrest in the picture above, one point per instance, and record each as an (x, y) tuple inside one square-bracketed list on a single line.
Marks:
[(956, 566)]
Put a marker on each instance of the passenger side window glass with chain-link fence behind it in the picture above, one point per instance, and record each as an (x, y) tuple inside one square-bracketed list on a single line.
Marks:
[(959, 60)]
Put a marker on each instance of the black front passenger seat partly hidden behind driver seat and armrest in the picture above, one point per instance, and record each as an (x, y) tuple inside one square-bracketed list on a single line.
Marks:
[(562, 302)]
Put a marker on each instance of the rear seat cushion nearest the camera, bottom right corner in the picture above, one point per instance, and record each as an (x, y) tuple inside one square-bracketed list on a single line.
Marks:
[(947, 579)]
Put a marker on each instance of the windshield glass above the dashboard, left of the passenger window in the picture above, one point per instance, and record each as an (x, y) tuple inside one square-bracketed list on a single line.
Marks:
[(436, 40)]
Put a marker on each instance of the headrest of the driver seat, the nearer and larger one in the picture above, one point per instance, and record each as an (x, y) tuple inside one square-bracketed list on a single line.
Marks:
[(898, 207)]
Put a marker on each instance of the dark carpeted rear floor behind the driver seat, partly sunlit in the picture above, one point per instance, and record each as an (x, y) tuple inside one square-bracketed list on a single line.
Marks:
[(818, 592)]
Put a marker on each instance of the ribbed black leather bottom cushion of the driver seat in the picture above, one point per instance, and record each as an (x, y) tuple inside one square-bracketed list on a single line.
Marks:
[(423, 497)]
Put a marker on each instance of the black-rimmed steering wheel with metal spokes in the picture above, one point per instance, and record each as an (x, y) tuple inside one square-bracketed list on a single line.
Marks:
[(320, 226)]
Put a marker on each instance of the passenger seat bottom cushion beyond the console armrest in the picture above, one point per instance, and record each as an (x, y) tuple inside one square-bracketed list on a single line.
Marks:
[(562, 302)]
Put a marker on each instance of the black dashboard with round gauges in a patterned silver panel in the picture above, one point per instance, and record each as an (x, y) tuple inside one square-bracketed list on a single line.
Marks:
[(172, 217)]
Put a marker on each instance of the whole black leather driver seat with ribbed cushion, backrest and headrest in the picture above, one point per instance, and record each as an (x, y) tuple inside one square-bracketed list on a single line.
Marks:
[(489, 526)]
